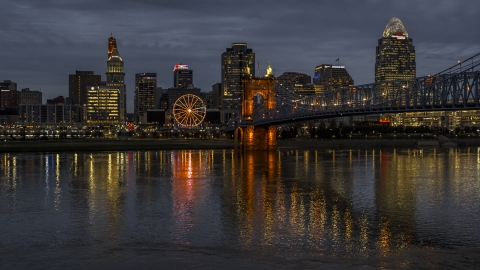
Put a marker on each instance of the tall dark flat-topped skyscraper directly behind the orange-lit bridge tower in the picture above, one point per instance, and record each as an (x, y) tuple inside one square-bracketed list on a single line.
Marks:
[(237, 61)]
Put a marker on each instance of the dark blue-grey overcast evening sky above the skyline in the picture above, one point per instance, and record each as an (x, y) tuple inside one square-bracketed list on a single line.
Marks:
[(43, 41)]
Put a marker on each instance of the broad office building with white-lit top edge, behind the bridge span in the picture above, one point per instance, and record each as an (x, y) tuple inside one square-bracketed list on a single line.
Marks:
[(328, 77)]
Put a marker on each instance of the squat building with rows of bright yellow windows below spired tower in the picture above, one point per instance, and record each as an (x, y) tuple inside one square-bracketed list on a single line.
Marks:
[(103, 105)]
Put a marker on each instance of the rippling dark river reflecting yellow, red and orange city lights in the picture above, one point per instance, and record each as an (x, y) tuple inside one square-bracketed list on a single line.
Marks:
[(214, 209)]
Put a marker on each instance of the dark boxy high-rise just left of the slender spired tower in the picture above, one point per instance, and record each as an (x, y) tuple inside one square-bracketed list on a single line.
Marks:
[(78, 84)]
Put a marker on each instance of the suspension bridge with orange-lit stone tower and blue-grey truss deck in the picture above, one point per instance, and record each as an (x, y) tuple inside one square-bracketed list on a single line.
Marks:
[(455, 88)]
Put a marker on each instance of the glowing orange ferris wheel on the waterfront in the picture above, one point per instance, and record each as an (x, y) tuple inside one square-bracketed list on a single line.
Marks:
[(189, 110)]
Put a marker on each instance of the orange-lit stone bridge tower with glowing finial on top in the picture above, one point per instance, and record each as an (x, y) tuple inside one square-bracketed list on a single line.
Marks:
[(247, 136)]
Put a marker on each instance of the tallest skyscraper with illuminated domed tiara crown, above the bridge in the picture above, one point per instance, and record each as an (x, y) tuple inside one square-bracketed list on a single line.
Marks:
[(395, 54)]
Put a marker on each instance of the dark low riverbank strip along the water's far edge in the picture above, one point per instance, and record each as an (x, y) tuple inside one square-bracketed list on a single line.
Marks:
[(94, 145)]
